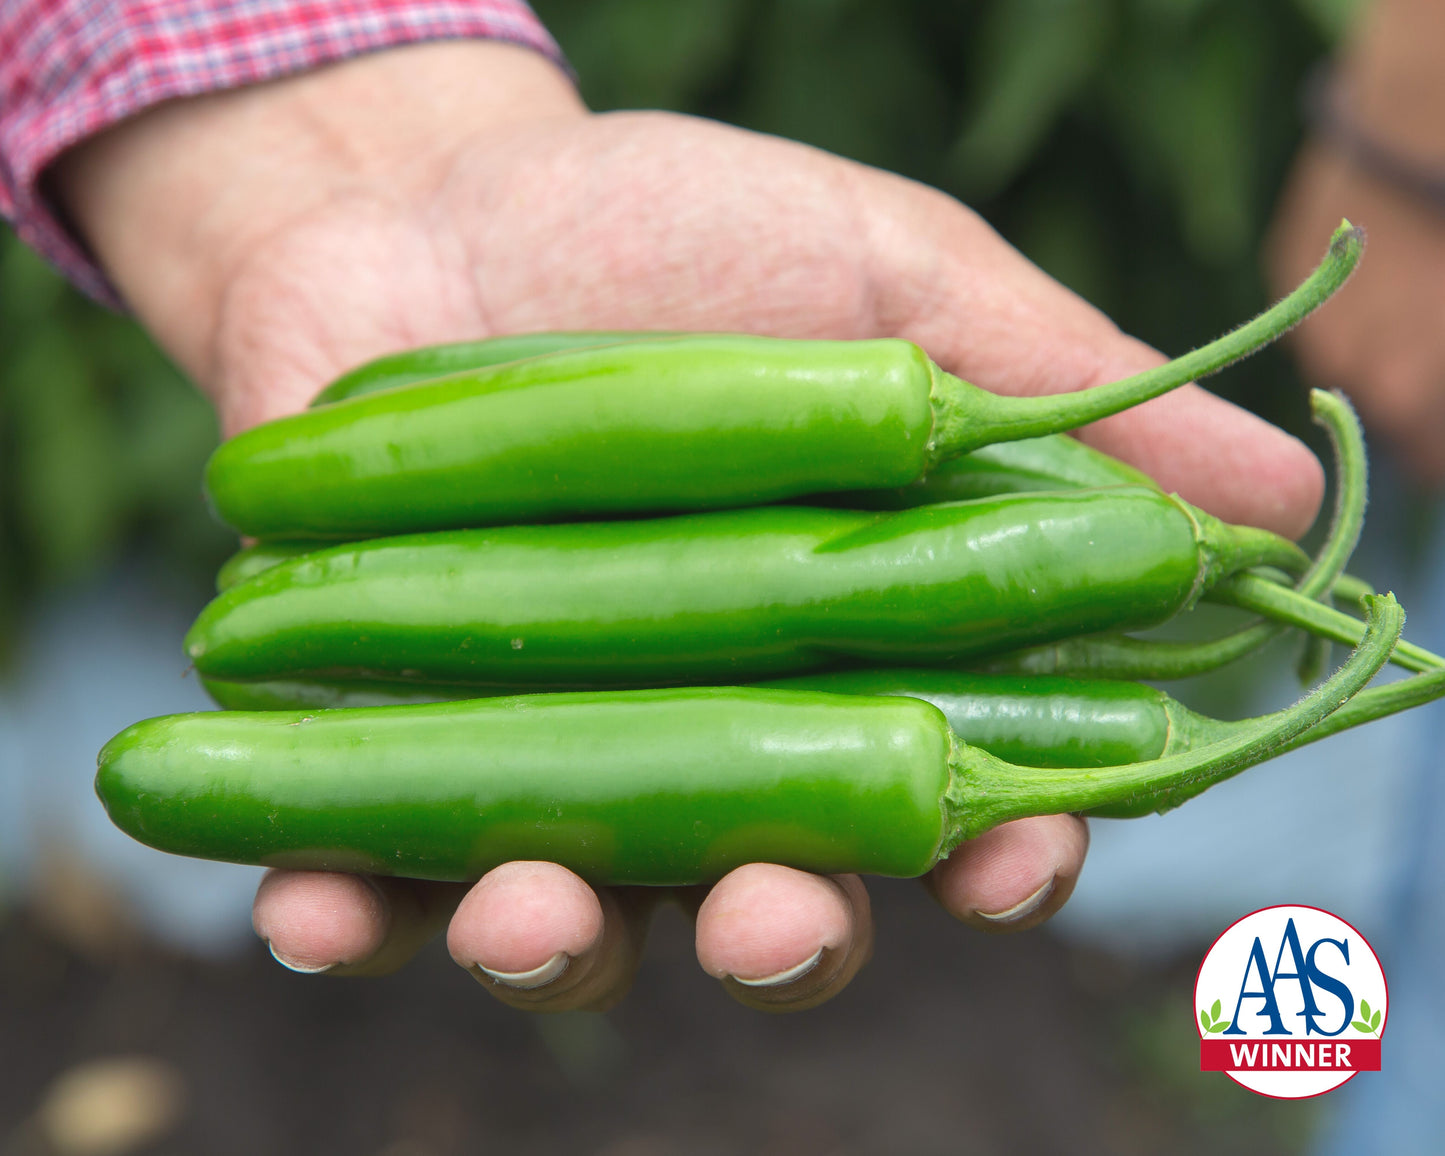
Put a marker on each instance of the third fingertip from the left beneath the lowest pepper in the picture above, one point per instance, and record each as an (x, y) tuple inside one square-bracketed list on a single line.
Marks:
[(784, 940)]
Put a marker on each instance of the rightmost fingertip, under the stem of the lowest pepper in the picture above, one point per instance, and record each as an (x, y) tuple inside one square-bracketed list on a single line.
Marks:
[(1015, 876)]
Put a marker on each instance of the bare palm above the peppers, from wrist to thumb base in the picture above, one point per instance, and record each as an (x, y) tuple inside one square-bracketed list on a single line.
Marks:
[(639, 222)]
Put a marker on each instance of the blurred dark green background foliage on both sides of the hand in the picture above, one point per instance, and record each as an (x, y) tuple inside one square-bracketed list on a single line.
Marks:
[(1131, 148)]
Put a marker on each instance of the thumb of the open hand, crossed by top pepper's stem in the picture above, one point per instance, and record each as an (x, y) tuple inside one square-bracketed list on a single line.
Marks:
[(949, 282)]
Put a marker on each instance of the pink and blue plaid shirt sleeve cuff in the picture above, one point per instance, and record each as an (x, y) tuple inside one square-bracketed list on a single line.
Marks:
[(70, 69)]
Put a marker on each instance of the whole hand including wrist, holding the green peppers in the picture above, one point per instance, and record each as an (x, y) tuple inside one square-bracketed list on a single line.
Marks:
[(277, 236)]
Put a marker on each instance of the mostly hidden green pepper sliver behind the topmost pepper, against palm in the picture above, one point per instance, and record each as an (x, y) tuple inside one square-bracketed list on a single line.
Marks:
[(431, 362)]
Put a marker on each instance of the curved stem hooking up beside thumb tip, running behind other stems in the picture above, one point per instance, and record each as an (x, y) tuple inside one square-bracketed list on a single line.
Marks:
[(1125, 657)]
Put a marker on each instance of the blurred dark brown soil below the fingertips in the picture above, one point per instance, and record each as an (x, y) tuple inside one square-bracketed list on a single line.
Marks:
[(950, 1043)]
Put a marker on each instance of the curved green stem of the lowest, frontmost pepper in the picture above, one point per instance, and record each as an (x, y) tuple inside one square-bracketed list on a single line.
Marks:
[(988, 791)]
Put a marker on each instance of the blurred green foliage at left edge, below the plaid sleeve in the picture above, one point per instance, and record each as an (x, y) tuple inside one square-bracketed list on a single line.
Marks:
[(102, 443)]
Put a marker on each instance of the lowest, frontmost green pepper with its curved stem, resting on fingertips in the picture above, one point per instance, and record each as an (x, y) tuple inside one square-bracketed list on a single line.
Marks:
[(637, 787)]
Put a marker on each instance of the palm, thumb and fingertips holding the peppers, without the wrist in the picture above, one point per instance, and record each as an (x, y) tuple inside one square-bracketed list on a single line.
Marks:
[(654, 222)]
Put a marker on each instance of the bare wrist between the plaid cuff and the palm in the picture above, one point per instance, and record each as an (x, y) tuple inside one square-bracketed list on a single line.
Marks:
[(174, 200)]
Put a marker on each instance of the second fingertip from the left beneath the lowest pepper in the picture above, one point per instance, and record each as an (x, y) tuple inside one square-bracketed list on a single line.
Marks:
[(537, 937)]
